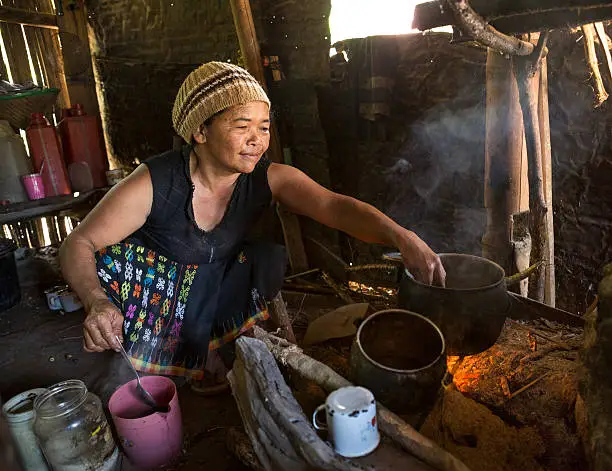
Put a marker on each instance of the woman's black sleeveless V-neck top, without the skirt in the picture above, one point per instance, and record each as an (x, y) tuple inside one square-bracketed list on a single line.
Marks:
[(171, 228)]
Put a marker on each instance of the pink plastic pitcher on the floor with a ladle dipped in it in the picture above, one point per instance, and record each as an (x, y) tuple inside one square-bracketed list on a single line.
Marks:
[(154, 440)]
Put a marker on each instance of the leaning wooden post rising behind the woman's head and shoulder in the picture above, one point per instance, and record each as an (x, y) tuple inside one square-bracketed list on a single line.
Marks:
[(249, 46)]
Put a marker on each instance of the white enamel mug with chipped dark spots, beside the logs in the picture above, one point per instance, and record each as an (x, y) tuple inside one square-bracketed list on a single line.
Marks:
[(350, 420)]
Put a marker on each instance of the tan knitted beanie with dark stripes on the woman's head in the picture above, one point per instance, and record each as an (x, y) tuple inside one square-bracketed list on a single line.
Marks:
[(211, 88)]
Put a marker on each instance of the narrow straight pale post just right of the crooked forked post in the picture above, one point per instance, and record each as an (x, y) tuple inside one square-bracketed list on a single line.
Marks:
[(544, 121)]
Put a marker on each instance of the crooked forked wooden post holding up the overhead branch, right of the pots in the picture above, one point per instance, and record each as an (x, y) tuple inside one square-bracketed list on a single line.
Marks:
[(528, 87)]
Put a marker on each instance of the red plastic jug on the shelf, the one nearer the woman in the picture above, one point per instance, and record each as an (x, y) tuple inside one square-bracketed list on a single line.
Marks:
[(83, 146)]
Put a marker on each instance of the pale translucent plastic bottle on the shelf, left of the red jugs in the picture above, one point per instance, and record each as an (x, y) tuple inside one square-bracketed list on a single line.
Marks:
[(13, 164)]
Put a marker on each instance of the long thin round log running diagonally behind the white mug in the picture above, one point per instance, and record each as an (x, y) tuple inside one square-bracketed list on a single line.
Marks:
[(390, 424)]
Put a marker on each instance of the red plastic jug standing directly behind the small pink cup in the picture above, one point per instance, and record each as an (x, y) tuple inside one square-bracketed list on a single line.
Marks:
[(46, 155)]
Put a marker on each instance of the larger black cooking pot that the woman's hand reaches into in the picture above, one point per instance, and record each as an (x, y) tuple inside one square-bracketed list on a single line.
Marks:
[(470, 310)]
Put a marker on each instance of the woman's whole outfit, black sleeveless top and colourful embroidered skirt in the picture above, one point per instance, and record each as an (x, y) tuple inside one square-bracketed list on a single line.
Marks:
[(226, 280)]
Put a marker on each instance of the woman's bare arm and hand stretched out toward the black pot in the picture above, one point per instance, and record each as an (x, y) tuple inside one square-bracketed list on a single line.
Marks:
[(302, 195)]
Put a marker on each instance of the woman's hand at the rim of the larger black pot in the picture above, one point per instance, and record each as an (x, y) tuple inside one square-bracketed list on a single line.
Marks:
[(420, 260)]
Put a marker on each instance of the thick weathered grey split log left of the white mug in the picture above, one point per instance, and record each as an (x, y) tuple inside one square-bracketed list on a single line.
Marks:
[(274, 419)]
